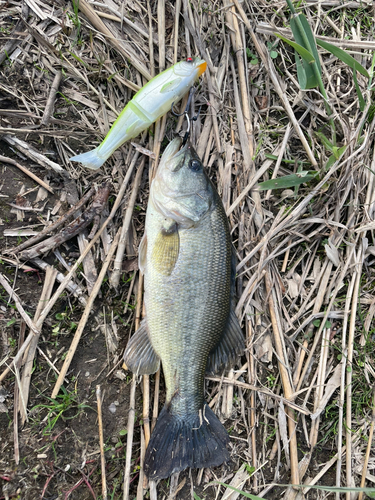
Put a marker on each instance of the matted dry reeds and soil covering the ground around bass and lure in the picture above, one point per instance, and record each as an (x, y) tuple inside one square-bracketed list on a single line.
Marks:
[(299, 406)]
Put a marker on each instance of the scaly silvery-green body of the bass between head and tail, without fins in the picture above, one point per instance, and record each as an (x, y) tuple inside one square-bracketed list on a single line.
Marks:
[(187, 311)]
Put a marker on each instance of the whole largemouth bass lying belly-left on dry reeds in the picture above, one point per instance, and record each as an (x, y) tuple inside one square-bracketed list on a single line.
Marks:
[(190, 325)]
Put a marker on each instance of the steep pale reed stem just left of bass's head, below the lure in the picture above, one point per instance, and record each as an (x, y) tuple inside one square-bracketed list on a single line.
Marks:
[(117, 265)]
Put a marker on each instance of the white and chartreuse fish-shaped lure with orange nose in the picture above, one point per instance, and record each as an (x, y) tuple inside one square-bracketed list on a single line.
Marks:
[(148, 105)]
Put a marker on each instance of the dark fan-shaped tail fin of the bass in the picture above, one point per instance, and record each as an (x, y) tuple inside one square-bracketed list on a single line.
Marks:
[(177, 443)]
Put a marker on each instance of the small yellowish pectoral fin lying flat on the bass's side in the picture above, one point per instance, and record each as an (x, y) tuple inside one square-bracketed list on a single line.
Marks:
[(166, 249)]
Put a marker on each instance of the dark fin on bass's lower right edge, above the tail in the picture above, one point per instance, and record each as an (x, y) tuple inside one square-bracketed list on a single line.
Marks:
[(230, 346)]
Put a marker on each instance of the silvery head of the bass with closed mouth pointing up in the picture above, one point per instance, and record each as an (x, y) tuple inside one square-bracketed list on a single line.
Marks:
[(181, 189)]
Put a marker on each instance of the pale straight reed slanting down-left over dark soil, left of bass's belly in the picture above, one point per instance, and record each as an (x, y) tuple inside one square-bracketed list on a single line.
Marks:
[(85, 316)]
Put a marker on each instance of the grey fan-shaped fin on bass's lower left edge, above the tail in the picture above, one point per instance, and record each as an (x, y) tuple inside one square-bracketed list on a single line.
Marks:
[(140, 356)]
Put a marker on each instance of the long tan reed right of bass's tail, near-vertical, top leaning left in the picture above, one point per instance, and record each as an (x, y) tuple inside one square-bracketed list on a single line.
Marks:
[(288, 391)]
